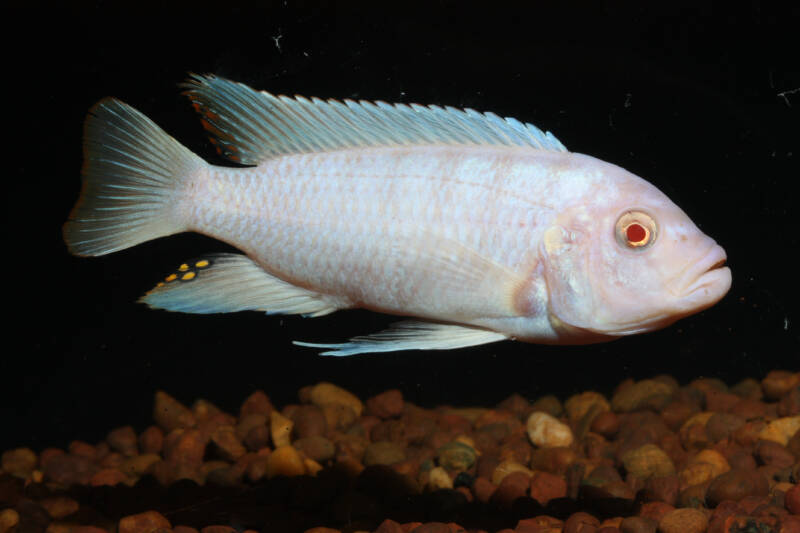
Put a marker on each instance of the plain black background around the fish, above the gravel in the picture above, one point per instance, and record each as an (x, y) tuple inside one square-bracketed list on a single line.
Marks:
[(695, 98)]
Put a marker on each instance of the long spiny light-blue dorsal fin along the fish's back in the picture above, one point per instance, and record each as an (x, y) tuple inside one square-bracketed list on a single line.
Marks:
[(250, 127)]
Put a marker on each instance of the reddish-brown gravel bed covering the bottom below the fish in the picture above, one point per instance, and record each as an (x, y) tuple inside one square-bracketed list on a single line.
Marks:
[(656, 456)]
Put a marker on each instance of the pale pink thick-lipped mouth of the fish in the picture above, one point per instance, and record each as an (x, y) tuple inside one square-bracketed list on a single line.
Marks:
[(709, 280)]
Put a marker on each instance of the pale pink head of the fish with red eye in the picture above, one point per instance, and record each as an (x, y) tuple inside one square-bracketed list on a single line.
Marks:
[(628, 260)]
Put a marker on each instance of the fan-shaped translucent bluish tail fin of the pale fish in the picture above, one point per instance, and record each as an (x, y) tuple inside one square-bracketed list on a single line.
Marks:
[(132, 176)]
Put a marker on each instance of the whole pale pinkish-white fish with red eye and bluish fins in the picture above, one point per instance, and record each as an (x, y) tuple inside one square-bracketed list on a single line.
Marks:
[(474, 227)]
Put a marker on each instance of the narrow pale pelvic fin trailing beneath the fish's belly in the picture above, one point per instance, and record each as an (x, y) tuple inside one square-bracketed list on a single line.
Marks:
[(411, 335)]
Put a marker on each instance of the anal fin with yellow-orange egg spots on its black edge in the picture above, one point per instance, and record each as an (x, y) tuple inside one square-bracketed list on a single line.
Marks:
[(226, 283)]
